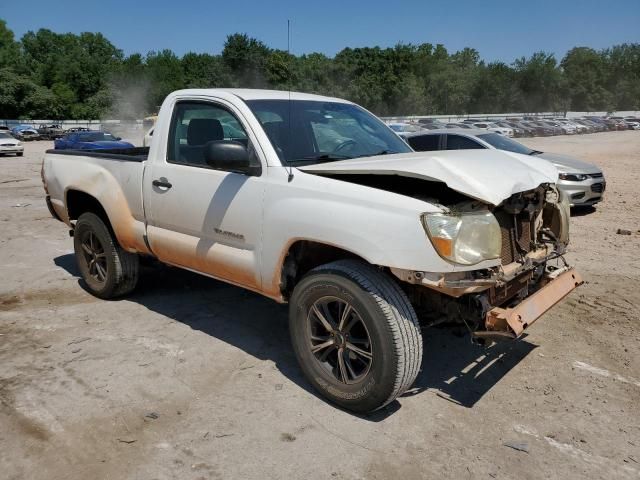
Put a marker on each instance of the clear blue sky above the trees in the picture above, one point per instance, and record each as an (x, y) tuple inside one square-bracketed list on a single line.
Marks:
[(499, 30)]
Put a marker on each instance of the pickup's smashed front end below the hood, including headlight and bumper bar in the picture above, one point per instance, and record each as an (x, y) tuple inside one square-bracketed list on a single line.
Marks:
[(529, 233)]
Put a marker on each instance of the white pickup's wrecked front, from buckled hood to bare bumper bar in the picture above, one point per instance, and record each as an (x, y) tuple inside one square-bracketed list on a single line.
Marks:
[(501, 225)]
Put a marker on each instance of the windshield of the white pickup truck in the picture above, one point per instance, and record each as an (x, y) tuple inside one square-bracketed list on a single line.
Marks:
[(323, 131)]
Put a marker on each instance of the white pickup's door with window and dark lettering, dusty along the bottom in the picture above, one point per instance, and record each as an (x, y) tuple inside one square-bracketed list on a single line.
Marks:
[(199, 218)]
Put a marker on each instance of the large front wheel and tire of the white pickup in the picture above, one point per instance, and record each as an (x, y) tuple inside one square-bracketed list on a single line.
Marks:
[(379, 310)]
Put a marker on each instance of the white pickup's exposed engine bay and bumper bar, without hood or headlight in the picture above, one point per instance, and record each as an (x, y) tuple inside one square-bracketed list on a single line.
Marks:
[(534, 233)]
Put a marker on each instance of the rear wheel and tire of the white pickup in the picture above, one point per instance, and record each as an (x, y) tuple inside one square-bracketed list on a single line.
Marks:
[(114, 271)]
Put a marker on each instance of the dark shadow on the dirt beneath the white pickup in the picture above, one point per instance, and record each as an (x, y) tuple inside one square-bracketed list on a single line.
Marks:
[(452, 367)]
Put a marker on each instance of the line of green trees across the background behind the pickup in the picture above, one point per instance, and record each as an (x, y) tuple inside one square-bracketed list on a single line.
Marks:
[(68, 76)]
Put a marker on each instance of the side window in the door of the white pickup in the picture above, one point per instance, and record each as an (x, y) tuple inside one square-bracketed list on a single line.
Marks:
[(193, 125)]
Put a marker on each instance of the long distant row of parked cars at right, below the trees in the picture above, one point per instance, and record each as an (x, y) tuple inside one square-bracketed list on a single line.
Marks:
[(526, 126)]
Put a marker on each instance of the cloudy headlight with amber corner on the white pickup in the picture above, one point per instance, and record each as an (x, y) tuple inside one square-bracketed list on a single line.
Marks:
[(464, 238)]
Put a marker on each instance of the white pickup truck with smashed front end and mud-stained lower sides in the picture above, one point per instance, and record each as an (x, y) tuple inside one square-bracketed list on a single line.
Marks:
[(316, 202)]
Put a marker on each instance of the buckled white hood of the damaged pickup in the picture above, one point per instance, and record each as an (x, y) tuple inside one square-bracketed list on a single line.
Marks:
[(491, 176)]
